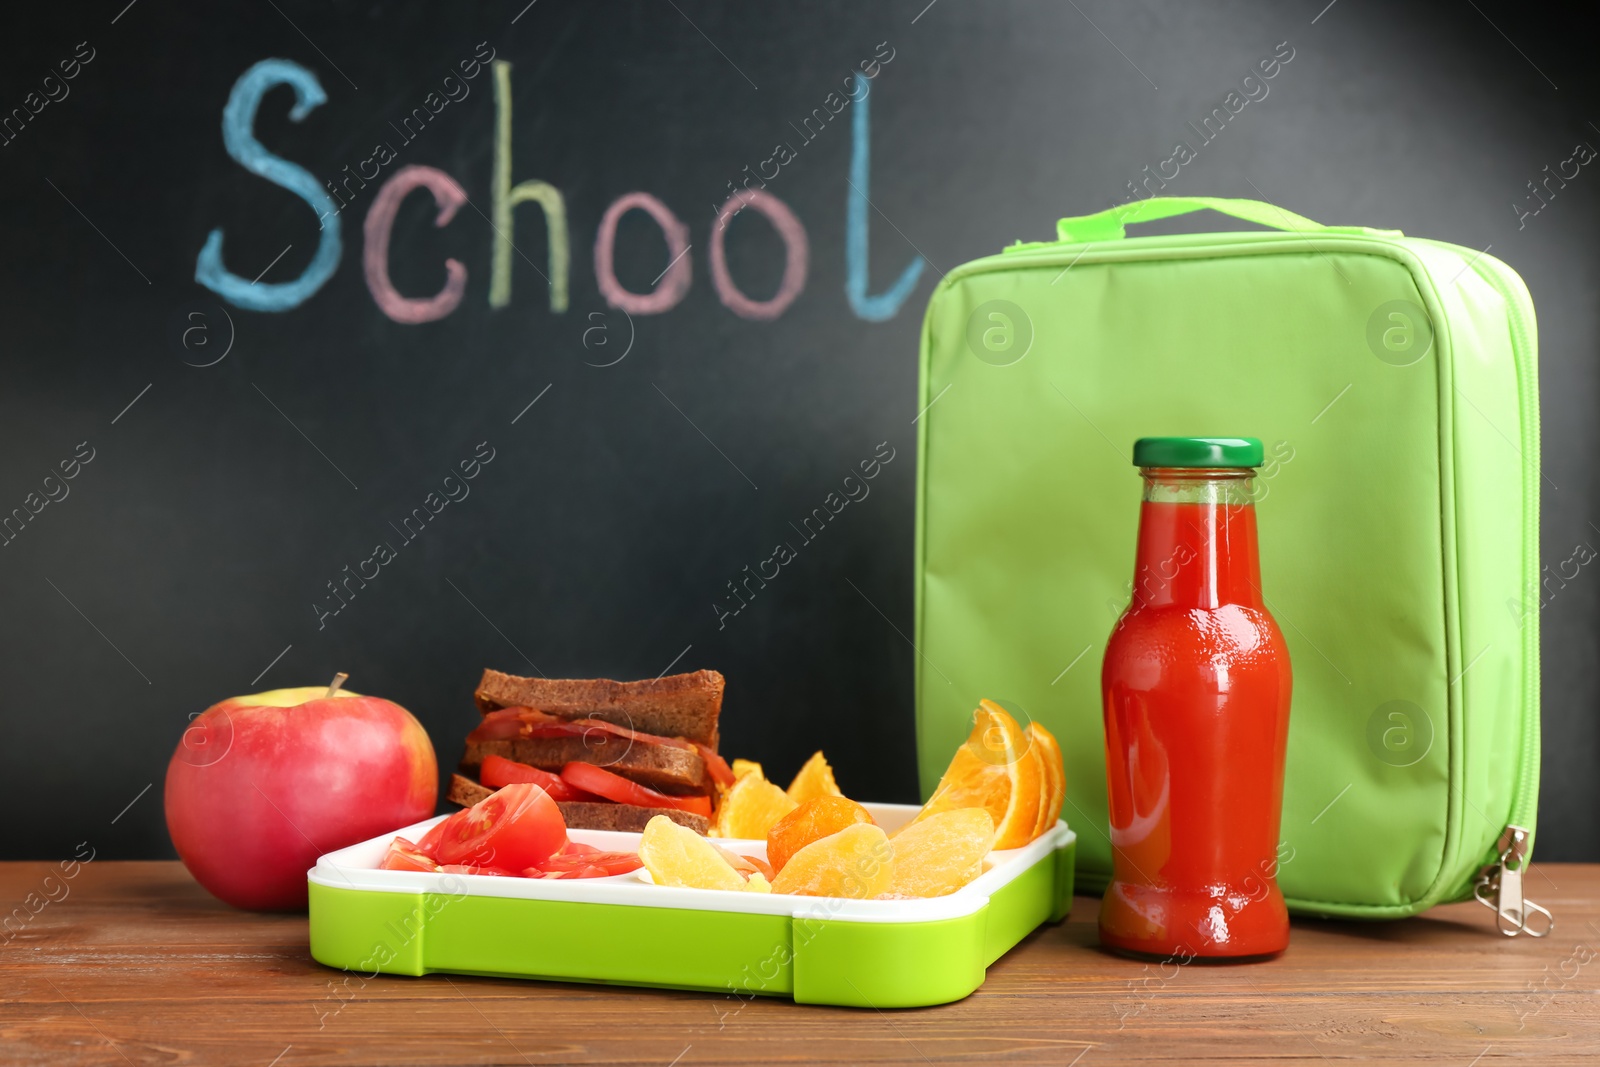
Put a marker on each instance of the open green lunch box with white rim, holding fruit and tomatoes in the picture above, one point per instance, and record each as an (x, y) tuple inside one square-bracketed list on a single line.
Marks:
[(623, 930)]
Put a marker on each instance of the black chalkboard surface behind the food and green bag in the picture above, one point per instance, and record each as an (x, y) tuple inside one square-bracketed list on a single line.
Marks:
[(193, 548)]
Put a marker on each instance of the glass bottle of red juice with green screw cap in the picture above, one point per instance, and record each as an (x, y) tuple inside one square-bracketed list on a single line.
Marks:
[(1196, 692)]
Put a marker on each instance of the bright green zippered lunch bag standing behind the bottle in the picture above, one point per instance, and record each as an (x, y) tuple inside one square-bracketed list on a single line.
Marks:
[(1393, 383)]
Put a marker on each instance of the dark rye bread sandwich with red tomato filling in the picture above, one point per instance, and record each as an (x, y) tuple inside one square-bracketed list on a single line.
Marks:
[(612, 754)]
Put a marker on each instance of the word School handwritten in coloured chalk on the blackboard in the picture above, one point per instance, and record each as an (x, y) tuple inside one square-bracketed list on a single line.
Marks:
[(329, 199)]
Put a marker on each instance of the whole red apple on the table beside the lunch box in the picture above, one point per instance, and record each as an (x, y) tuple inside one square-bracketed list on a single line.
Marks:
[(265, 785)]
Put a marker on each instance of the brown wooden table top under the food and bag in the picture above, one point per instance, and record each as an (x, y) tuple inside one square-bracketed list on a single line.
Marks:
[(138, 965)]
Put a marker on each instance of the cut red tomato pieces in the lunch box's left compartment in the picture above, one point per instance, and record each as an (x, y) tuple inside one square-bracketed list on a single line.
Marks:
[(514, 833)]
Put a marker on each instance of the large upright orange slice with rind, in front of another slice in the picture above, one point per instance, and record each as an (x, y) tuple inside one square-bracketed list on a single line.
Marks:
[(993, 770)]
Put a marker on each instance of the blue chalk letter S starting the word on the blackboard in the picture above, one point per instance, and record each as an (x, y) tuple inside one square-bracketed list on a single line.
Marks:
[(239, 121)]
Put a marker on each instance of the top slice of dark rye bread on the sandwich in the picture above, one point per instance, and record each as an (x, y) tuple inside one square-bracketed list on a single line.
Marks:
[(678, 706)]
